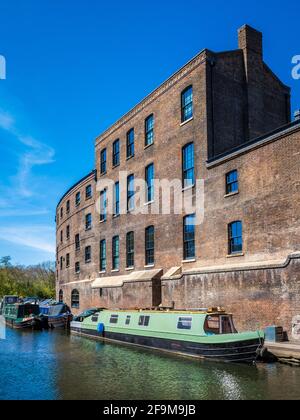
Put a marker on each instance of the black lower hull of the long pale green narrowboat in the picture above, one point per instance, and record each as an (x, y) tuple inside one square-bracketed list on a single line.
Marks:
[(245, 351)]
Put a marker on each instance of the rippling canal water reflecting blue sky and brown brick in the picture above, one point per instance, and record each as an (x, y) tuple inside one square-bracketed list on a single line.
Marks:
[(55, 365)]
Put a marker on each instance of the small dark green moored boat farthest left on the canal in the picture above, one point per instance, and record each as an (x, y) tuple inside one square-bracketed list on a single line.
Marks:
[(21, 315)]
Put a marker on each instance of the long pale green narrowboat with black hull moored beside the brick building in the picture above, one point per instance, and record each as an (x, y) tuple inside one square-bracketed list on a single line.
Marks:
[(208, 334)]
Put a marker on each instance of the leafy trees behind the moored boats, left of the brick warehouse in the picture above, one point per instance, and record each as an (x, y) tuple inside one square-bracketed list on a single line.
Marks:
[(37, 281)]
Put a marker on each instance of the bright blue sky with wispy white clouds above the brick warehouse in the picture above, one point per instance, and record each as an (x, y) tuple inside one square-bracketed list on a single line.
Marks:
[(74, 67)]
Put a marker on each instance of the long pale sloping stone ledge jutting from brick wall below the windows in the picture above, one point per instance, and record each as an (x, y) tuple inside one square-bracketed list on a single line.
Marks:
[(134, 276)]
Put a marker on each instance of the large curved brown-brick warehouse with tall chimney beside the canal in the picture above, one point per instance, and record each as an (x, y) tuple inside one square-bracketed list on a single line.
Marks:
[(223, 118)]
